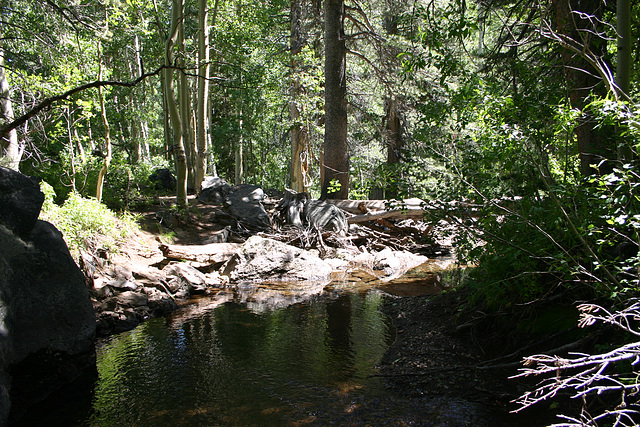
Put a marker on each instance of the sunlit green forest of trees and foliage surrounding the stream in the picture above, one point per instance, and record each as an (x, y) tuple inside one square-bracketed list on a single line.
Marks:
[(516, 121)]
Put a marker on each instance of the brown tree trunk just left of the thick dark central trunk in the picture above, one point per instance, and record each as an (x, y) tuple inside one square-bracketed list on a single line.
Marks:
[(299, 133)]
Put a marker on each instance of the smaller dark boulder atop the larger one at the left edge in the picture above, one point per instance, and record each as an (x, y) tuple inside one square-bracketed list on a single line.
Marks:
[(20, 201)]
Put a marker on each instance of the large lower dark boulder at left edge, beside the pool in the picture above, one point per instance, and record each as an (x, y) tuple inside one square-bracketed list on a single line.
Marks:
[(45, 293)]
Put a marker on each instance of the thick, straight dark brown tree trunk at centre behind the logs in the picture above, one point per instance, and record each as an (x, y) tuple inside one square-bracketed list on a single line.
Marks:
[(336, 155)]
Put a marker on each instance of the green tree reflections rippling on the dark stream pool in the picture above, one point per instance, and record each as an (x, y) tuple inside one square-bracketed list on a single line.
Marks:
[(232, 366)]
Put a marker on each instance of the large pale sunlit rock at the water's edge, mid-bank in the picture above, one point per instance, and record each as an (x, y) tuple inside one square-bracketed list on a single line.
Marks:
[(261, 259)]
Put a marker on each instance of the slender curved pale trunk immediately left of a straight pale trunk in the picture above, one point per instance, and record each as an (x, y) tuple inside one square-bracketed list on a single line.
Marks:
[(177, 8)]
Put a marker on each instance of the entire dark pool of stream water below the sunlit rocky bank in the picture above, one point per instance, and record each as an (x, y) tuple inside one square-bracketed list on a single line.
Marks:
[(307, 357)]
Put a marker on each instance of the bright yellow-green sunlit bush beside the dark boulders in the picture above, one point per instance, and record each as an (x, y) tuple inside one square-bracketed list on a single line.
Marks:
[(86, 223)]
